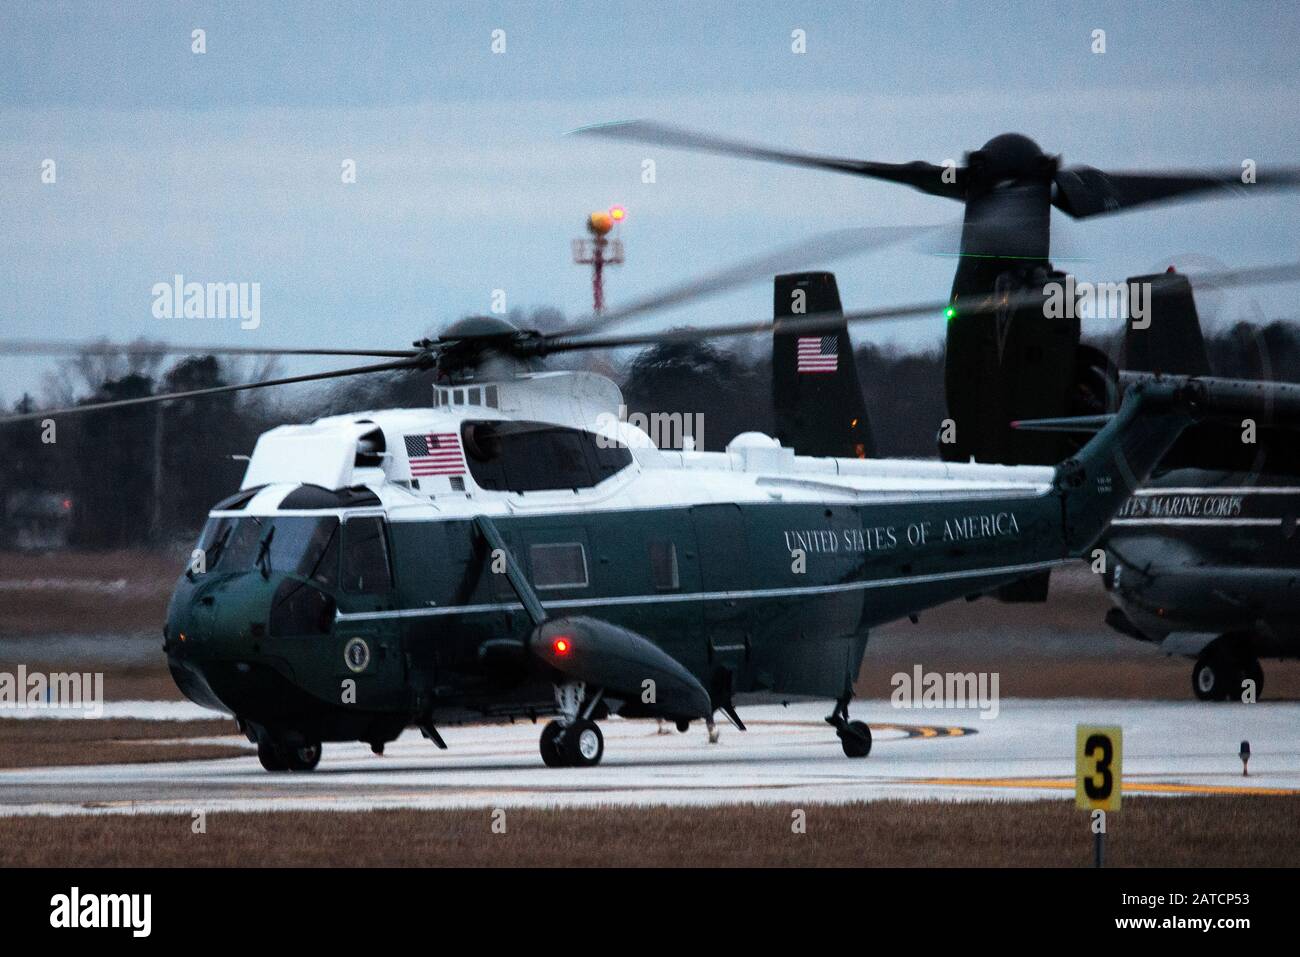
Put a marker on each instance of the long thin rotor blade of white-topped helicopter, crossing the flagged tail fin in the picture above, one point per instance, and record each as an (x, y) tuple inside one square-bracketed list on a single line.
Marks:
[(1258, 276)]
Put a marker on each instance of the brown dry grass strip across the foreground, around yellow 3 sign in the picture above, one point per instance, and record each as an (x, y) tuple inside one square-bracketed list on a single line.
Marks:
[(1172, 833)]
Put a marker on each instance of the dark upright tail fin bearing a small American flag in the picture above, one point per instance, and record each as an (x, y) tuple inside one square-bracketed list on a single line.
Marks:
[(817, 396)]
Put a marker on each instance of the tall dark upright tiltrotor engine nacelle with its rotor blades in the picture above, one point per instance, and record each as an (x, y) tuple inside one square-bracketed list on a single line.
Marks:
[(1008, 188)]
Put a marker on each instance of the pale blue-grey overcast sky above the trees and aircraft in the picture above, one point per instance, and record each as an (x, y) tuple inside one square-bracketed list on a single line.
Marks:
[(227, 166)]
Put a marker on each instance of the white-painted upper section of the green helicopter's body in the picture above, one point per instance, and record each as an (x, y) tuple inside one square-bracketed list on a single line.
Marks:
[(755, 467)]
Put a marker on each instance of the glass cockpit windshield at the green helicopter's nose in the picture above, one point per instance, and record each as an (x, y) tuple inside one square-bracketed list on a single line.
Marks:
[(300, 545)]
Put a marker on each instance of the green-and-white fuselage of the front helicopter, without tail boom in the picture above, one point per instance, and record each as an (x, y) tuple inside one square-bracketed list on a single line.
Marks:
[(757, 570)]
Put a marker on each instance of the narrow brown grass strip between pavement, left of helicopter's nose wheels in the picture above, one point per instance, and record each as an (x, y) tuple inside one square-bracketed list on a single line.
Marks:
[(42, 743)]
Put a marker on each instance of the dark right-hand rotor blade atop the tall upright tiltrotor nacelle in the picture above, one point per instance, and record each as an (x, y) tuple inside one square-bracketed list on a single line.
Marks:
[(1084, 192)]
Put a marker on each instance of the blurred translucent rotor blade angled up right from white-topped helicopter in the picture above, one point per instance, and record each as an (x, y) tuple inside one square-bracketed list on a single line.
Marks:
[(816, 250)]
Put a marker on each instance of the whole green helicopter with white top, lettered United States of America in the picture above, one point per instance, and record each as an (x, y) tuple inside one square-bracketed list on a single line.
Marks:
[(514, 552)]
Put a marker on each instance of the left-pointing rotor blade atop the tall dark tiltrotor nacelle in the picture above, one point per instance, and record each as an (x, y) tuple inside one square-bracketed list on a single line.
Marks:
[(922, 176)]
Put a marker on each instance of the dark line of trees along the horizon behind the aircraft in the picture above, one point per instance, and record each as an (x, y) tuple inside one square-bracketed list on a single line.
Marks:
[(133, 477)]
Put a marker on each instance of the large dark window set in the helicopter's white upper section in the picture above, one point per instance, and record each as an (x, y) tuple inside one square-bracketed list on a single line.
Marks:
[(538, 457)]
